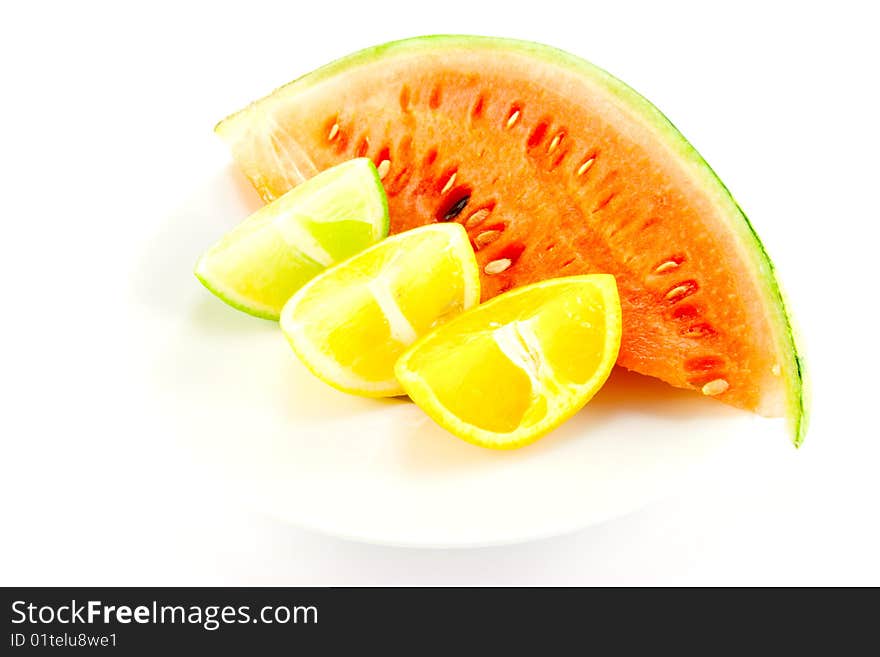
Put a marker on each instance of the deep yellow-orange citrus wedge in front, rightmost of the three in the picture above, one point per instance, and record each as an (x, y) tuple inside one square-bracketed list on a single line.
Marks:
[(505, 373)]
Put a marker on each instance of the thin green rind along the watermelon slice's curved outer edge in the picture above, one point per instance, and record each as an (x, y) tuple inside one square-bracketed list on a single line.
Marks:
[(797, 401)]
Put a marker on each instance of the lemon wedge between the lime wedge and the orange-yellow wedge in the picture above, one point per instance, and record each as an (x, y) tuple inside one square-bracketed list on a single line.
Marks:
[(350, 324)]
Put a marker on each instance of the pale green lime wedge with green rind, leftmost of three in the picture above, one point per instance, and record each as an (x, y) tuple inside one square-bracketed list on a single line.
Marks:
[(258, 265)]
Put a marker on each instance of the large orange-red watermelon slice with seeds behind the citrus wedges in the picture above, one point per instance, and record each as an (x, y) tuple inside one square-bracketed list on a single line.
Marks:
[(555, 168)]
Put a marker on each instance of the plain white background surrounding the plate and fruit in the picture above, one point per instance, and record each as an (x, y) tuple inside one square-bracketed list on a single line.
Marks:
[(106, 128)]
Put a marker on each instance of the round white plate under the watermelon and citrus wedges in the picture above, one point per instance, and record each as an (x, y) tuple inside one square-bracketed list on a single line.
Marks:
[(379, 470)]
